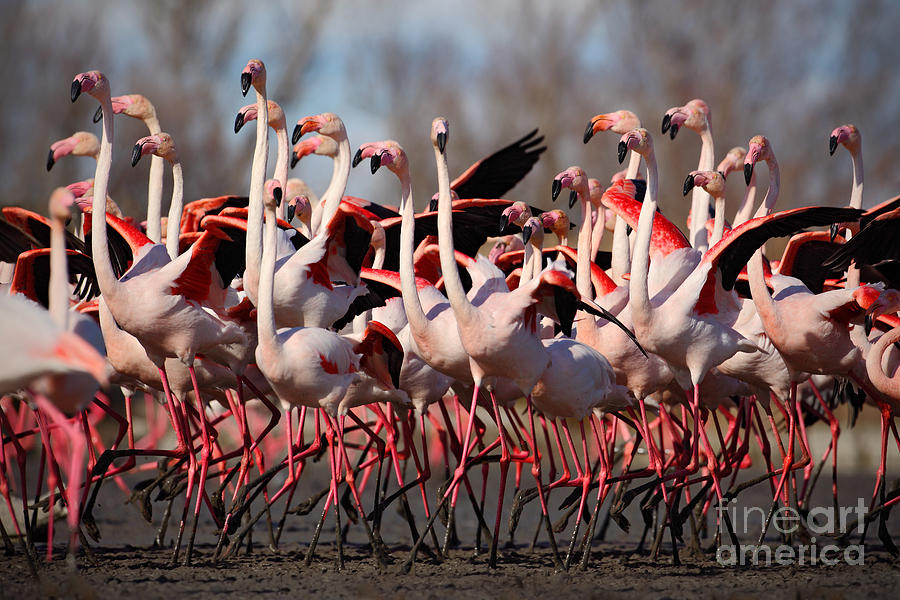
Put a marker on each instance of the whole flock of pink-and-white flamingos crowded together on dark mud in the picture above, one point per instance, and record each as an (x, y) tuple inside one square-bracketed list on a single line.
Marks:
[(268, 330)]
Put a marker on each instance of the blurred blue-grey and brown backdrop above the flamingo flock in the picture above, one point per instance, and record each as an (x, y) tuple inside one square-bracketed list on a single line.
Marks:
[(792, 71)]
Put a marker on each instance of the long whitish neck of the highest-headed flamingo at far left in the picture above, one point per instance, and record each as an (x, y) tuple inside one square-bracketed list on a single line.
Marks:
[(99, 249)]
